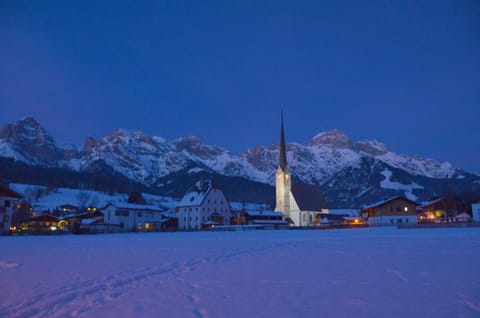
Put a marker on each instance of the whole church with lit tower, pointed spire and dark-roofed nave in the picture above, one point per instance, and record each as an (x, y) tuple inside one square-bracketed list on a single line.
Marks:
[(302, 204)]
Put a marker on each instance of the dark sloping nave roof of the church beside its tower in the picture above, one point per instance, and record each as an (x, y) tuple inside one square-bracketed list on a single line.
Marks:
[(308, 197)]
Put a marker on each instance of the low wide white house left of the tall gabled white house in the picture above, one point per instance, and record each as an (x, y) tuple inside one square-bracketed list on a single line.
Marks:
[(134, 217)]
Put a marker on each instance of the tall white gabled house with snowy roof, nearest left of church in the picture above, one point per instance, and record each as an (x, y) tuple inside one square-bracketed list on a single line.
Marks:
[(203, 206)]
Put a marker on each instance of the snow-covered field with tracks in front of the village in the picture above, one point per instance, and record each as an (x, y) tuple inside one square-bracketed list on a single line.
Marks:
[(374, 272)]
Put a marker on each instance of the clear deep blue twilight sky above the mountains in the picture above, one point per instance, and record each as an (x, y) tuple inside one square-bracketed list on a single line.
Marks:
[(406, 73)]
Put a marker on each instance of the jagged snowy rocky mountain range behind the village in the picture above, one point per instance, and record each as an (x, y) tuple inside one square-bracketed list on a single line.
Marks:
[(349, 173)]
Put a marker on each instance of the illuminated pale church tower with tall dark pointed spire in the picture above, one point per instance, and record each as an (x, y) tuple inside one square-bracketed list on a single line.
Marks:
[(283, 178)]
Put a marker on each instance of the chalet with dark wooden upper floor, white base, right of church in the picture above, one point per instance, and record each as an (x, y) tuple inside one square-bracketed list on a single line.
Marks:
[(391, 211)]
